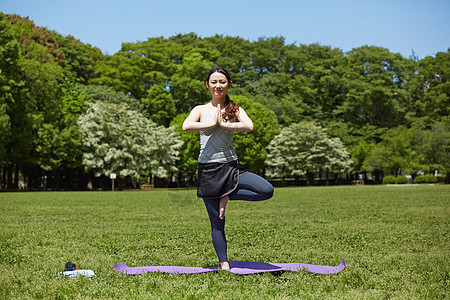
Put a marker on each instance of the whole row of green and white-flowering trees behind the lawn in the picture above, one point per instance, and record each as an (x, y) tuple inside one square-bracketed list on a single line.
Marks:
[(71, 113)]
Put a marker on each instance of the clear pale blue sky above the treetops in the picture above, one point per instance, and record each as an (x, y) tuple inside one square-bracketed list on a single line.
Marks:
[(399, 25)]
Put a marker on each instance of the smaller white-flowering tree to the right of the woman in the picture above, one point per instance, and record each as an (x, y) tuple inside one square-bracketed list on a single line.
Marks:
[(303, 149)]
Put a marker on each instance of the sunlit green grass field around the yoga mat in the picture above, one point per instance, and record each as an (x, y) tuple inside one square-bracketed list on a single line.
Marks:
[(395, 241)]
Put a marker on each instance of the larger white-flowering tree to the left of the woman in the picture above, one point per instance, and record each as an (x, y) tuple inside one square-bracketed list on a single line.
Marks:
[(123, 141)]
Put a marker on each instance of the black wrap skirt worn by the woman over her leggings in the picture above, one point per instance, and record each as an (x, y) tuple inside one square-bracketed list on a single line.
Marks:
[(216, 180)]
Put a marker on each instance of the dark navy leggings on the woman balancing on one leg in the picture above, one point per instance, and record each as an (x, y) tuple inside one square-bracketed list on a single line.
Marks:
[(251, 187)]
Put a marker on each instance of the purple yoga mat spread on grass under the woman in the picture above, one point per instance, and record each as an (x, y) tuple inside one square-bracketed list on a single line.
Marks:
[(236, 267)]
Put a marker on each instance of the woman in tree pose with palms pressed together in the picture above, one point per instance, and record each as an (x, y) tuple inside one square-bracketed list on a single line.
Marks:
[(220, 177)]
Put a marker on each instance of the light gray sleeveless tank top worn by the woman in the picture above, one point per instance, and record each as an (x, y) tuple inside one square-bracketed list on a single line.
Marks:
[(216, 144)]
